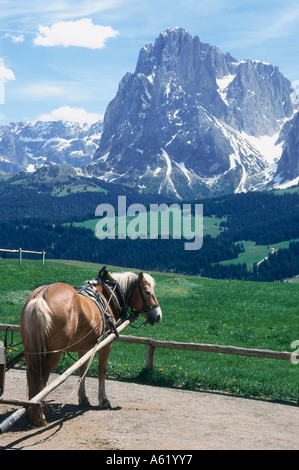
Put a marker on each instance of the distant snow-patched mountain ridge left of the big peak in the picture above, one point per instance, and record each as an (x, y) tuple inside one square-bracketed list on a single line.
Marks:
[(25, 146)]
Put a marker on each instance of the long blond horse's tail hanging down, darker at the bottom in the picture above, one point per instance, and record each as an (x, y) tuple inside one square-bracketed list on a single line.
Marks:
[(37, 320)]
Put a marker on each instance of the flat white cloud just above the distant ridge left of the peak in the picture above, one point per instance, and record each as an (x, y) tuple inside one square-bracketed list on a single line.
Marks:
[(66, 113)]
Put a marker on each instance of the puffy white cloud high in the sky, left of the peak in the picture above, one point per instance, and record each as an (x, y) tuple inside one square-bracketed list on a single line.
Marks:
[(80, 33)]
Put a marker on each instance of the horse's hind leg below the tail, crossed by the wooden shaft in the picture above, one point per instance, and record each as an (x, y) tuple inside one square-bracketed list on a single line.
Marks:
[(36, 415)]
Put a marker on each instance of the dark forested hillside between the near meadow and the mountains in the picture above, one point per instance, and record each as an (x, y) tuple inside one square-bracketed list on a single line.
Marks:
[(34, 219)]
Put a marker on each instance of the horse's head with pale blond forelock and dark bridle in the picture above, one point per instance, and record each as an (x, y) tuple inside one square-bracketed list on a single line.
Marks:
[(143, 299)]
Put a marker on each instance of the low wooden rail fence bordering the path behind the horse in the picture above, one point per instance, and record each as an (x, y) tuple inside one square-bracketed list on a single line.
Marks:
[(210, 348)]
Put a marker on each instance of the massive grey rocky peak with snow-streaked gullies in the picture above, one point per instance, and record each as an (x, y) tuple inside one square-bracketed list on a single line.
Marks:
[(194, 121)]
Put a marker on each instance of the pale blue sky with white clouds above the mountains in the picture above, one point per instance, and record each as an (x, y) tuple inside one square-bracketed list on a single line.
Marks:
[(65, 58)]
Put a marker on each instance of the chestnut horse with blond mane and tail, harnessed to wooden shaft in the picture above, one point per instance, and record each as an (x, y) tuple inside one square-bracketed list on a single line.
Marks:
[(58, 318)]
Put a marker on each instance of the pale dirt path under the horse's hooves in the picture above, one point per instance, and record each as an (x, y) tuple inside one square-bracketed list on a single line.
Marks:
[(152, 418)]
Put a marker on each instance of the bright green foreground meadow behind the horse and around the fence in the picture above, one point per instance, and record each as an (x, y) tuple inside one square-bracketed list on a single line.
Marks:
[(245, 314)]
